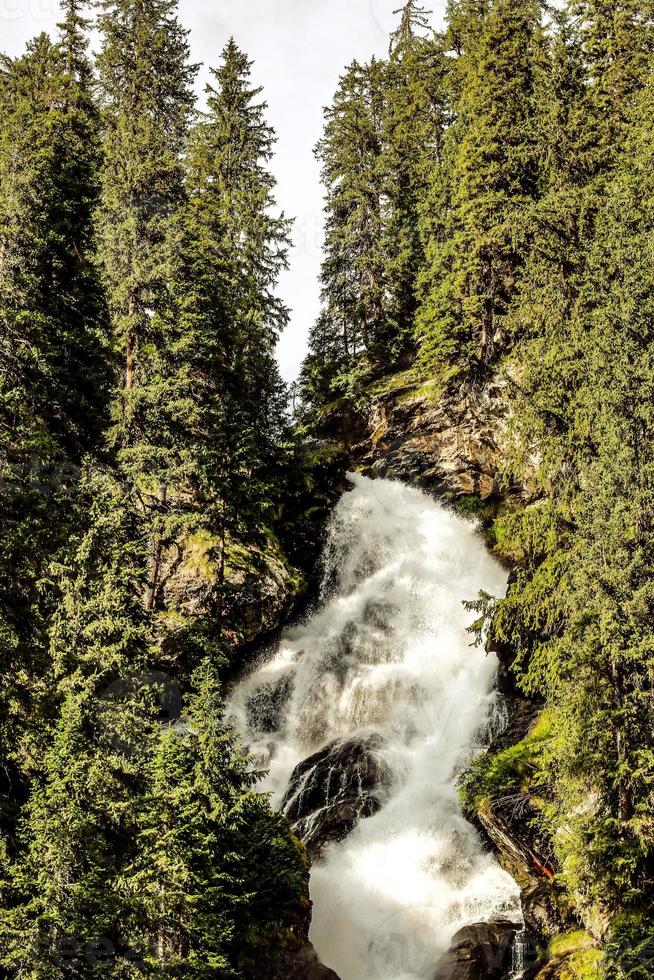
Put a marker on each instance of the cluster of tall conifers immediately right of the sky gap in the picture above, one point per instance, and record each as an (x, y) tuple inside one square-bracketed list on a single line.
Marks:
[(383, 136)]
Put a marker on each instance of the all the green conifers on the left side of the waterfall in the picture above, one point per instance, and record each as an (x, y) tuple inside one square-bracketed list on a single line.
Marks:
[(131, 844)]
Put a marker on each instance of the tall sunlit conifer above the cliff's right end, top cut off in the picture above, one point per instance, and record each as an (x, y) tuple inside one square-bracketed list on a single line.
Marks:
[(474, 271)]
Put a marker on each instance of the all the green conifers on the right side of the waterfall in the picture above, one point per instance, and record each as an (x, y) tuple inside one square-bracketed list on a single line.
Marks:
[(532, 188)]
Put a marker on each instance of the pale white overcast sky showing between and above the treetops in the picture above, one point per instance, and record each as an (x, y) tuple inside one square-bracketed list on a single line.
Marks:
[(300, 48)]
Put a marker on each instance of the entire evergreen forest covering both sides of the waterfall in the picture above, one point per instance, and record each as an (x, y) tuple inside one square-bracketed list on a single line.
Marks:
[(489, 217)]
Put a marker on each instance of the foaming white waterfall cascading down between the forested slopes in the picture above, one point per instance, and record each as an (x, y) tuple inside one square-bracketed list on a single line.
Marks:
[(388, 653)]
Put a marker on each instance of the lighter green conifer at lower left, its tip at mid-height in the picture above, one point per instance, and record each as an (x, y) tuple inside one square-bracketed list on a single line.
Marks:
[(80, 816)]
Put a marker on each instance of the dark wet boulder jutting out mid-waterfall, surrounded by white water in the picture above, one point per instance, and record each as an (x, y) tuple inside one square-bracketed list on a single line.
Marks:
[(335, 788)]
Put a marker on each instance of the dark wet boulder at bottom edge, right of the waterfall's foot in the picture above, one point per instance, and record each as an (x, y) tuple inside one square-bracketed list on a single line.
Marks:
[(480, 952)]
